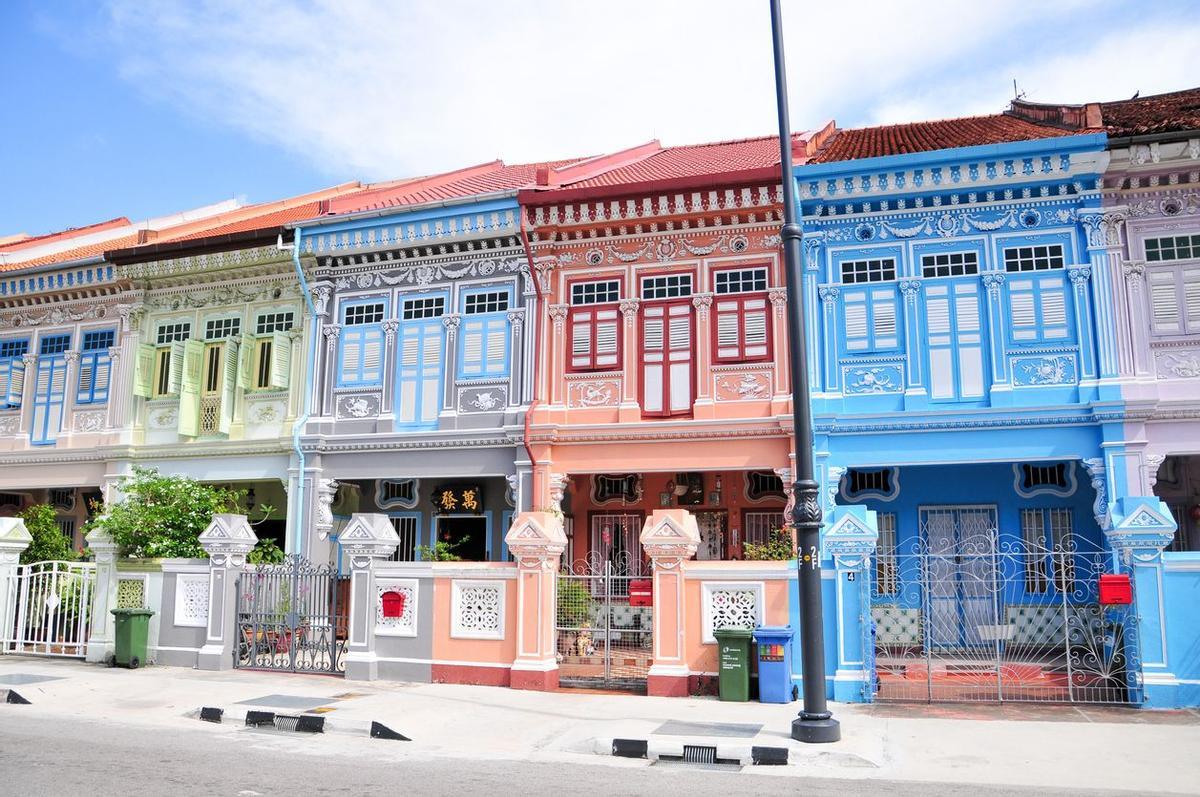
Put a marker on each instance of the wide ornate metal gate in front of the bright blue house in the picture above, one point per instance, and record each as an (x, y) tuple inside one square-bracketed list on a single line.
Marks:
[(971, 615)]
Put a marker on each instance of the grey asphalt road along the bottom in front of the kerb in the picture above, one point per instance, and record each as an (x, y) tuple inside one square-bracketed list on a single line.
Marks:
[(45, 757)]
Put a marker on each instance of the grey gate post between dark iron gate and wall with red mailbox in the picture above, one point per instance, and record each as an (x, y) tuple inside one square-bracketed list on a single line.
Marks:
[(367, 540)]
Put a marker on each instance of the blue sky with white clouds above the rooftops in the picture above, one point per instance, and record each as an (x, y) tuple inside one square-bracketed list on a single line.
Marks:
[(148, 107)]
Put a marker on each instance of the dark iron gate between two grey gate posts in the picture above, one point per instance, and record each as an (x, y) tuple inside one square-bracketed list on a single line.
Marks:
[(293, 618)]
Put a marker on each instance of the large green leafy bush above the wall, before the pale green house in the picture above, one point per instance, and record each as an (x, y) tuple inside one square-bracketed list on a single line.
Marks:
[(163, 517)]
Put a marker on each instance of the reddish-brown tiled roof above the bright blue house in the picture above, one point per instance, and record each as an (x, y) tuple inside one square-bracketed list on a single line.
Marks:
[(929, 136)]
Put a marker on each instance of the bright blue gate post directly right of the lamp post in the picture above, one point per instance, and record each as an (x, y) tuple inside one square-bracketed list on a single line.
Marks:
[(851, 541)]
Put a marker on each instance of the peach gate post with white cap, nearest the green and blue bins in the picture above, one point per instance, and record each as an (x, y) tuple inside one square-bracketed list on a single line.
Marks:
[(669, 537)]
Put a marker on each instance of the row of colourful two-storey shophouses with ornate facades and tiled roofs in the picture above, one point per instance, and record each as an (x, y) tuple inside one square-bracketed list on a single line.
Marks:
[(1004, 322)]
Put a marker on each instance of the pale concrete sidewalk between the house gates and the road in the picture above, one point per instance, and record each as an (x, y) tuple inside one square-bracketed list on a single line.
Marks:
[(1037, 746)]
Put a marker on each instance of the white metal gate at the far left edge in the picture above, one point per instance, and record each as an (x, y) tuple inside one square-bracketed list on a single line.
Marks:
[(51, 609)]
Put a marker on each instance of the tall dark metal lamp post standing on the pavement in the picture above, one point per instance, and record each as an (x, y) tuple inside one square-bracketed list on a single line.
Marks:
[(815, 723)]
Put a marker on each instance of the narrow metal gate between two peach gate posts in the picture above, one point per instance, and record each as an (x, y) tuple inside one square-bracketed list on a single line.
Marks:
[(604, 637)]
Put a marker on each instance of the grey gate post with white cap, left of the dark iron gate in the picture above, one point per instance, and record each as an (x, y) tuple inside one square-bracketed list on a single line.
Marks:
[(227, 541)]
